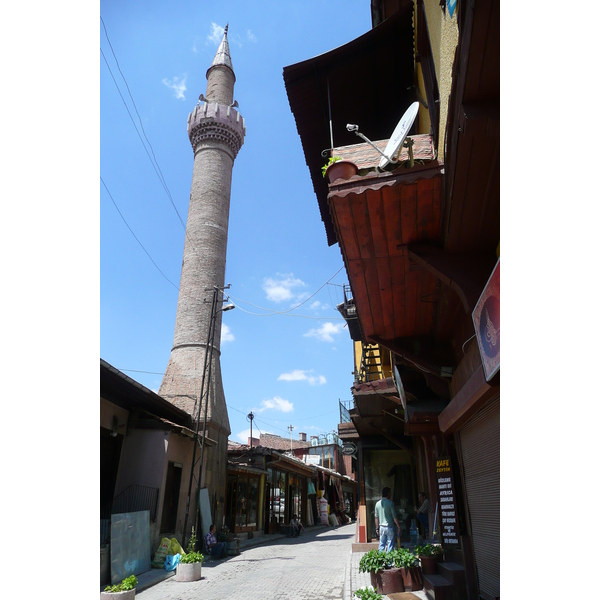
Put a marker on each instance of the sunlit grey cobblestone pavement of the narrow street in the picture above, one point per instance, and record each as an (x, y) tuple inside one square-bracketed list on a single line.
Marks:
[(310, 567)]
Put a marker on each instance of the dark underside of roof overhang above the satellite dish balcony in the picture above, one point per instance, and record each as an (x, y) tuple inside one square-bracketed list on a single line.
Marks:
[(368, 81)]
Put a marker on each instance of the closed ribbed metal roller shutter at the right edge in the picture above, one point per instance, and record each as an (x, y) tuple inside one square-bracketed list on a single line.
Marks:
[(480, 445)]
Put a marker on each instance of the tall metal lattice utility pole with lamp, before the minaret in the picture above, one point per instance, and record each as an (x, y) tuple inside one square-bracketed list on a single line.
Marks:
[(204, 393)]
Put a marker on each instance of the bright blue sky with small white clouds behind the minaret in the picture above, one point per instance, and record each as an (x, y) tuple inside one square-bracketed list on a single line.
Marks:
[(289, 369)]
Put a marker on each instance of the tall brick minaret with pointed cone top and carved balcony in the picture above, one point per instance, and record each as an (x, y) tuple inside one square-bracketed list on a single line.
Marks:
[(216, 131)]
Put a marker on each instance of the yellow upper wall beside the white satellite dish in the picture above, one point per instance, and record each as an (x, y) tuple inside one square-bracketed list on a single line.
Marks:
[(443, 36)]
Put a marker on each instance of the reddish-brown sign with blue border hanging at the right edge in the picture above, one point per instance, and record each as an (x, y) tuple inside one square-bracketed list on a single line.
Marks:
[(486, 320)]
